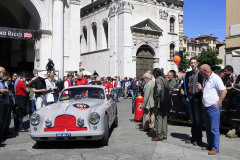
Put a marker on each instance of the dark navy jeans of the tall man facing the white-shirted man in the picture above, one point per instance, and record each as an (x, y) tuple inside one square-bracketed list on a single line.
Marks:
[(195, 111)]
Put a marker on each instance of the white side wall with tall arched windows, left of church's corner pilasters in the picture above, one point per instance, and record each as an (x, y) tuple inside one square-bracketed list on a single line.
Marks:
[(97, 59)]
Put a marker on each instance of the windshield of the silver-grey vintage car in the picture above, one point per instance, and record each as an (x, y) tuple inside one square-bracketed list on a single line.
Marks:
[(82, 92)]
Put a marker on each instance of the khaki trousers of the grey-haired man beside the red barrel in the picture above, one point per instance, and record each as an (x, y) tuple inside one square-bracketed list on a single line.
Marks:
[(148, 118)]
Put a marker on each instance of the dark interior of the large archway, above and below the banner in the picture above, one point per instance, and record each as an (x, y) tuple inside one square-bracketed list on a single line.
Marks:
[(17, 54)]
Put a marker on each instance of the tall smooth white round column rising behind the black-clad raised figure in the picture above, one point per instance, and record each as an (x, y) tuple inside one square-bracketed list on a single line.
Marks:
[(58, 38)]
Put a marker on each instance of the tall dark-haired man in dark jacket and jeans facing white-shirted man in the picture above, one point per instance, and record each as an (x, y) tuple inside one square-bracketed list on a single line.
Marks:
[(194, 103)]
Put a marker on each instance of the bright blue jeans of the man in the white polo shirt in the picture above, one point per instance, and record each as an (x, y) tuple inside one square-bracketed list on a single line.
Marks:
[(212, 123)]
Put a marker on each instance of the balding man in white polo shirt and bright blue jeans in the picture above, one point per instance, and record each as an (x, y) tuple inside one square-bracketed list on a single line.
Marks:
[(214, 92)]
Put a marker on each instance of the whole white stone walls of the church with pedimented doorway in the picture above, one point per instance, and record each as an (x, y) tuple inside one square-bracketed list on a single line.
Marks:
[(119, 58)]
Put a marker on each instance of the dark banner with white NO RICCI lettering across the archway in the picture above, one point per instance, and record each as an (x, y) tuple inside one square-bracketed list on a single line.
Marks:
[(16, 33)]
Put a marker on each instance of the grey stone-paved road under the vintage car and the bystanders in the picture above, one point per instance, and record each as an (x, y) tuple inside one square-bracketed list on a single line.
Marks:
[(126, 143)]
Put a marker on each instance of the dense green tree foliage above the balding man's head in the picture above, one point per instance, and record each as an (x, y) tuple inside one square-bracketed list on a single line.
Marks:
[(209, 57)]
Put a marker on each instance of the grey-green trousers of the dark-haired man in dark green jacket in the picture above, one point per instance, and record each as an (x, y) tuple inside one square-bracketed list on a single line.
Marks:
[(161, 126)]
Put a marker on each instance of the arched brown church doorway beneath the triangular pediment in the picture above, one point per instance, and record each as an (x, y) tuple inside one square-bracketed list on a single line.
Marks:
[(145, 55)]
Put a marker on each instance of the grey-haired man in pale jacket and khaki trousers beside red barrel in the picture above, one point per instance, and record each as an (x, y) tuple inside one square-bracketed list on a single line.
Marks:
[(148, 104)]
